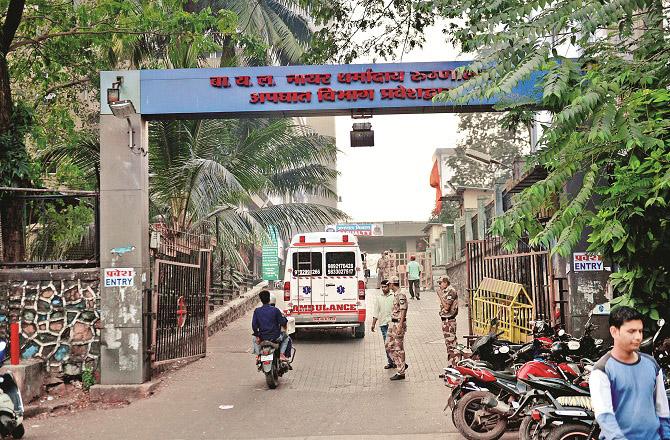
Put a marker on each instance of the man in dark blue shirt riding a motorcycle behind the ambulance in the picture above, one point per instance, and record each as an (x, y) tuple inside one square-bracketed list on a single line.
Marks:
[(267, 324)]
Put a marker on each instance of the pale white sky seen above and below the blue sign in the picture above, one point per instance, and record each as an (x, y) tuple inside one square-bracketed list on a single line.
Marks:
[(390, 181)]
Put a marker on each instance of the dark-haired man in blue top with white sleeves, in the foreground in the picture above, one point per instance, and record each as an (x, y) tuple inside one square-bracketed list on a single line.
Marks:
[(627, 387)]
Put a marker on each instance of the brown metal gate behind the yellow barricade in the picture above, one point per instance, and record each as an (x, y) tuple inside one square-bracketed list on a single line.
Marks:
[(524, 265)]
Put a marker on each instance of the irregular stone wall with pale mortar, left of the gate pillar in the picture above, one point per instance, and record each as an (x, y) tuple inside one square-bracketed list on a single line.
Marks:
[(58, 311)]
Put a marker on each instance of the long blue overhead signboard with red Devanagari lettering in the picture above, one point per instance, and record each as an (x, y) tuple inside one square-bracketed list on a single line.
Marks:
[(315, 89)]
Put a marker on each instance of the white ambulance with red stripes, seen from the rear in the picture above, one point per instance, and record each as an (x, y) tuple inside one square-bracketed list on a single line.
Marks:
[(324, 282)]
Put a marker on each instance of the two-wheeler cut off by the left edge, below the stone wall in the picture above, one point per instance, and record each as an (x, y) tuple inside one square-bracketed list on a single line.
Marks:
[(11, 403)]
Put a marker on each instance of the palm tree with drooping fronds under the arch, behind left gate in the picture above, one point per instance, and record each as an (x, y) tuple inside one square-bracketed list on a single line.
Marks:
[(213, 172)]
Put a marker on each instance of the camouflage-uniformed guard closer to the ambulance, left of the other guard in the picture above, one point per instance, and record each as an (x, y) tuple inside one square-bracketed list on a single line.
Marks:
[(395, 342)]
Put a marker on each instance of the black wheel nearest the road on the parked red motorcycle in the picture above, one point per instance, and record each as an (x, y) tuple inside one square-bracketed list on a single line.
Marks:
[(492, 427)]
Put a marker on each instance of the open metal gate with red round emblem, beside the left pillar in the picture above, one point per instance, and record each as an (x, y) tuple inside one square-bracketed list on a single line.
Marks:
[(181, 271)]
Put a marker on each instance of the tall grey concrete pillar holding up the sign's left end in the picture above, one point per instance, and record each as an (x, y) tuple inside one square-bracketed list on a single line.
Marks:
[(124, 243)]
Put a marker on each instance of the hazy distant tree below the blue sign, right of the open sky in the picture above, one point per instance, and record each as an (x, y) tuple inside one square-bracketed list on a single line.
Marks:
[(484, 132)]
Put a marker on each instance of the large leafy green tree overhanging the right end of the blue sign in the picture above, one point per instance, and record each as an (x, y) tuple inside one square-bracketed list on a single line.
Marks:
[(609, 127)]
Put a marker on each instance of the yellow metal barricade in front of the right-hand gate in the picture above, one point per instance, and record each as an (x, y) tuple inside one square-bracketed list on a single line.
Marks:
[(507, 301)]
